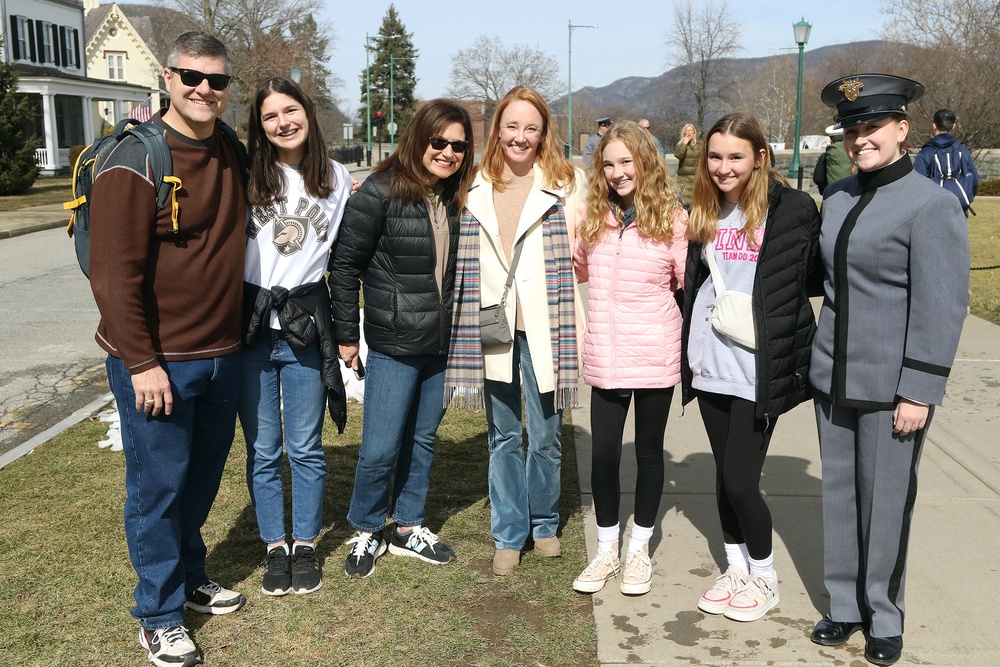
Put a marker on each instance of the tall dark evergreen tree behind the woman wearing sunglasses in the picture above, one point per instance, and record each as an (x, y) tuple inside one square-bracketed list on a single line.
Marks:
[(394, 41)]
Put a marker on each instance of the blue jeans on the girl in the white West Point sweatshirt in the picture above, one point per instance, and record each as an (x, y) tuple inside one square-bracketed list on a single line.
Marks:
[(273, 371)]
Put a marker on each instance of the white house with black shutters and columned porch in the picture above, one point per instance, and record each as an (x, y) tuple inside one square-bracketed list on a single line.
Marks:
[(43, 40)]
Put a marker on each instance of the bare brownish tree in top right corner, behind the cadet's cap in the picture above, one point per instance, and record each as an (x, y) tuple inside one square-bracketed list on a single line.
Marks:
[(958, 59)]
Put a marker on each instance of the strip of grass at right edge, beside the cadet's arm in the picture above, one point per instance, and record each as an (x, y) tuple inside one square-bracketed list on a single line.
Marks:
[(984, 242)]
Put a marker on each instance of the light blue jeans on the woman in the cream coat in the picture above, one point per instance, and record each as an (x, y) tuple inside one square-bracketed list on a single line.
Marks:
[(524, 492)]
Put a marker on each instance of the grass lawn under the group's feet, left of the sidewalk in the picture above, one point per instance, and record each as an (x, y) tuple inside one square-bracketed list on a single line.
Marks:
[(65, 588)]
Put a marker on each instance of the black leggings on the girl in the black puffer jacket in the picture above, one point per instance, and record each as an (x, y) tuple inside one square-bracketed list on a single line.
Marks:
[(739, 444)]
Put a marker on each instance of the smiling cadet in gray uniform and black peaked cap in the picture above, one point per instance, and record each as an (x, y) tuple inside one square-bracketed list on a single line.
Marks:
[(895, 250)]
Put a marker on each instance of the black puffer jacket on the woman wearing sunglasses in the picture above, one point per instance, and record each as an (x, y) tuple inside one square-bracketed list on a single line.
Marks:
[(388, 245)]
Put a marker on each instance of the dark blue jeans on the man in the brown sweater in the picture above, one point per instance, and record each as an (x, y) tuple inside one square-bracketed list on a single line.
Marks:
[(173, 466)]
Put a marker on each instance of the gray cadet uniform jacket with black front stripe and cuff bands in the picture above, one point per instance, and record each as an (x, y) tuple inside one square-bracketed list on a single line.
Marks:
[(895, 249)]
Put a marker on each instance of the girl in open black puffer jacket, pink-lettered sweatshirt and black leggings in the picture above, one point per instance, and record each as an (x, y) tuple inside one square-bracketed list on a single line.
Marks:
[(758, 236)]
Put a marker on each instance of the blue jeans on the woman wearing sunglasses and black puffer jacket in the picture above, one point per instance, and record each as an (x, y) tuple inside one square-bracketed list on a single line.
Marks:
[(404, 399)]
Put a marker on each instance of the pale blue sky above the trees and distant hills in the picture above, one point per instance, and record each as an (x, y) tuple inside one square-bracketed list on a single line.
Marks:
[(630, 41)]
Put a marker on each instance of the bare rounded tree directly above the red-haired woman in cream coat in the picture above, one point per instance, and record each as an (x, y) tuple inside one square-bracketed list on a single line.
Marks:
[(487, 70)]
